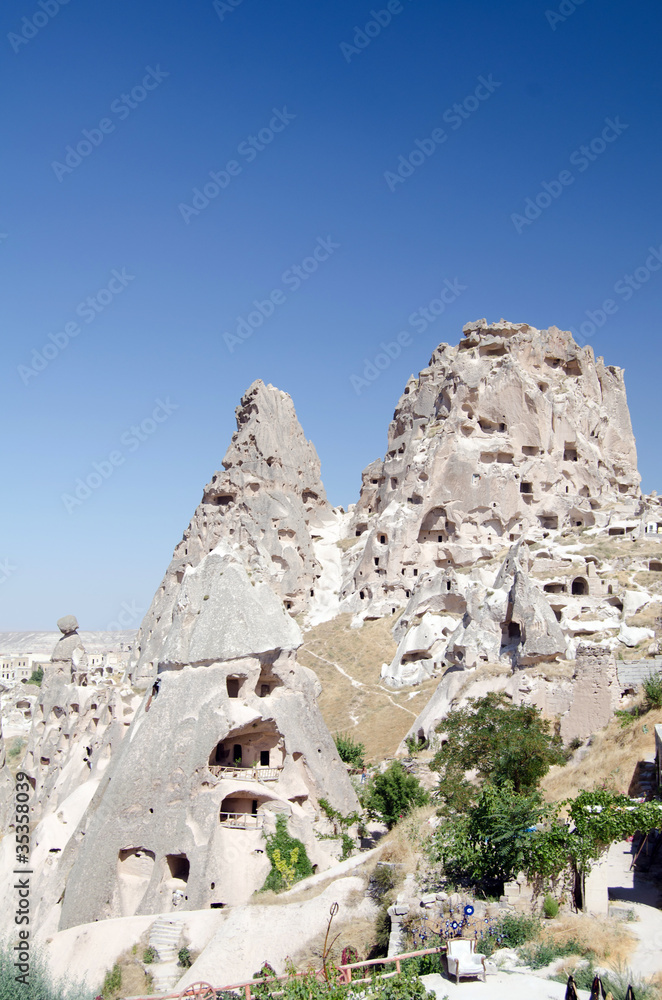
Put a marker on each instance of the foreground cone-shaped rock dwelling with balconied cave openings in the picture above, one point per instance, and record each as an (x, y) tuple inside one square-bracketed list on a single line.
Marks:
[(229, 738)]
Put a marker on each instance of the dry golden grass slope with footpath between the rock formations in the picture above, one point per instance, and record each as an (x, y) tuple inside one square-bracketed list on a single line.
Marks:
[(373, 714)]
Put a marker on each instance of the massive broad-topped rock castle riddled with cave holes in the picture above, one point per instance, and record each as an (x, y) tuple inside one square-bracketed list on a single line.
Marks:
[(515, 430)]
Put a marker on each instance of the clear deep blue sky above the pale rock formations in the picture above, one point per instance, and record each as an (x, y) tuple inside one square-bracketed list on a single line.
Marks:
[(350, 106)]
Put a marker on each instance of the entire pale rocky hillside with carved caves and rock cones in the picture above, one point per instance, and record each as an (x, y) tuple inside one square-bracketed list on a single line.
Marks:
[(502, 543)]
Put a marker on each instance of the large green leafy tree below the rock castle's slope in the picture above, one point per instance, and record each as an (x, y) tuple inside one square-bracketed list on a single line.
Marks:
[(506, 743)]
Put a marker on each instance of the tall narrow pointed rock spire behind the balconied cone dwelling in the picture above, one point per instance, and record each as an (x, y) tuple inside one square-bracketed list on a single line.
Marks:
[(266, 504)]
